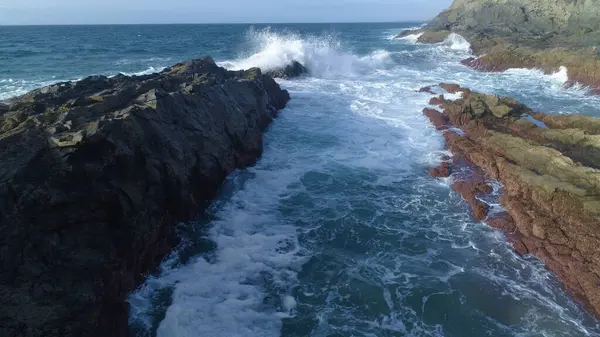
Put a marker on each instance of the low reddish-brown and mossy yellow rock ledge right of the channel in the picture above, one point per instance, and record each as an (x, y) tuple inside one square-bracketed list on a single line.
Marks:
[(549, 167)]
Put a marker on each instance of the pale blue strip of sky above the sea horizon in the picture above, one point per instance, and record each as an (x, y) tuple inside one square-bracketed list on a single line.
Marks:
[(41, 12)]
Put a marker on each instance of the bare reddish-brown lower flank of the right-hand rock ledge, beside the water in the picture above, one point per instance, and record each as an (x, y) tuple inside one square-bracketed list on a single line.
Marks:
[(555, 226)]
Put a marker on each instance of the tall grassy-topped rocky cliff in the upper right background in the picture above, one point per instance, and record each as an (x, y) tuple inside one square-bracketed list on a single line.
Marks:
[(544, 34)]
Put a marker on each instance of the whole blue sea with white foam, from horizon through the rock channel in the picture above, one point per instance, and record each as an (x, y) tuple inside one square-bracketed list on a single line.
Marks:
[(338, 230)]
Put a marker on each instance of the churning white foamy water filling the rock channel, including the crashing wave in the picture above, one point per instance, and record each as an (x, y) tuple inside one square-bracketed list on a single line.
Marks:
[(354, 125)]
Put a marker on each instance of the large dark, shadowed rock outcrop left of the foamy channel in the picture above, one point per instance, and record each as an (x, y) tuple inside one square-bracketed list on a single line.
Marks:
[(96, 174)]
